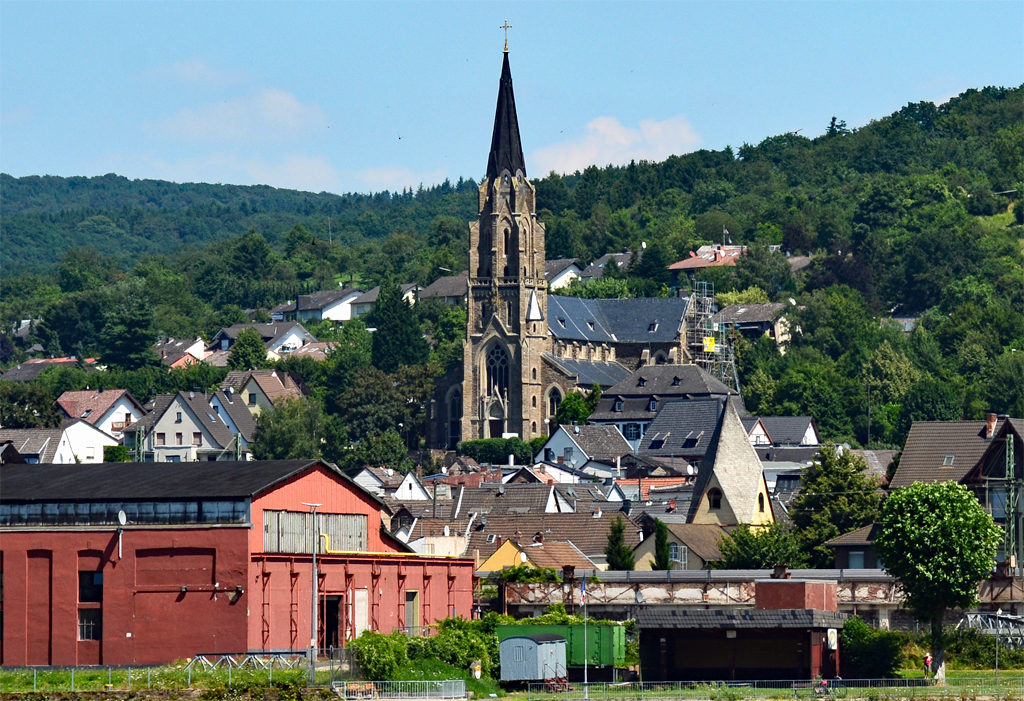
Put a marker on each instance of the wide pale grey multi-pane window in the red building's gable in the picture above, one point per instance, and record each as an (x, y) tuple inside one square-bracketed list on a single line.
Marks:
[(286, 532)]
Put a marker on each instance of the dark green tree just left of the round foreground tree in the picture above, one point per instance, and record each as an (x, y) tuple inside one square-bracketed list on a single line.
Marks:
[(836, 497)]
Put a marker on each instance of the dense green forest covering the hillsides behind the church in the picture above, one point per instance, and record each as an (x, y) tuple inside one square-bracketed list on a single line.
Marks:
[(915, 215)]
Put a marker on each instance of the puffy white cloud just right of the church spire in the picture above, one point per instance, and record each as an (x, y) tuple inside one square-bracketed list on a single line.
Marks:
[(607, 141)]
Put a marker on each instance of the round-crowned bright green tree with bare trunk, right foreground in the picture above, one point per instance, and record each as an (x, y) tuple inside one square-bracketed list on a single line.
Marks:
[(940, 543)]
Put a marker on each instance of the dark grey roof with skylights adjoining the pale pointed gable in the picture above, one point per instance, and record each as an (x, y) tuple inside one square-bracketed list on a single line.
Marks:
[(679, 422)]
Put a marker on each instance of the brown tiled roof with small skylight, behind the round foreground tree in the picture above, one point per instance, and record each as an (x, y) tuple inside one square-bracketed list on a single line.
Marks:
[(930, 443)]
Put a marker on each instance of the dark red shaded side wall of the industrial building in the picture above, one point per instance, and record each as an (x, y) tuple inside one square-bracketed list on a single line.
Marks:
[(146, 618)]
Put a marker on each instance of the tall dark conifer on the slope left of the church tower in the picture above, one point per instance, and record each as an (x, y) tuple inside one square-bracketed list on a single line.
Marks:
[(398, 340)]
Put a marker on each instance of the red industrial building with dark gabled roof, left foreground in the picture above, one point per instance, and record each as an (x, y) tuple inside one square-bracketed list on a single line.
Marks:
[(214, 558)]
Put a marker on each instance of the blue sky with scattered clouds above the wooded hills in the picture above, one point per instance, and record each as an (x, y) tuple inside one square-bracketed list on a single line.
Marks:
[(351, 97)]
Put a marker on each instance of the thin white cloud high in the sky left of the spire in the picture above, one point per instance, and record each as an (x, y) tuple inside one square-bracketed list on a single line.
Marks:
[(271, 115)]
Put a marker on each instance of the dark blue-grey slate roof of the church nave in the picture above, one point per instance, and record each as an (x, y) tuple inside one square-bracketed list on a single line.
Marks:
[(646, 320)]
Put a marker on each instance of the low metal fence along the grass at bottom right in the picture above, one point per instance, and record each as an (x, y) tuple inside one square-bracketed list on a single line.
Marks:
[(1005, 687)]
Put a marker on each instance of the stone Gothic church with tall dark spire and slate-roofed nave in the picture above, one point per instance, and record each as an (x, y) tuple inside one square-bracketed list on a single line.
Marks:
[(525, 352)]
